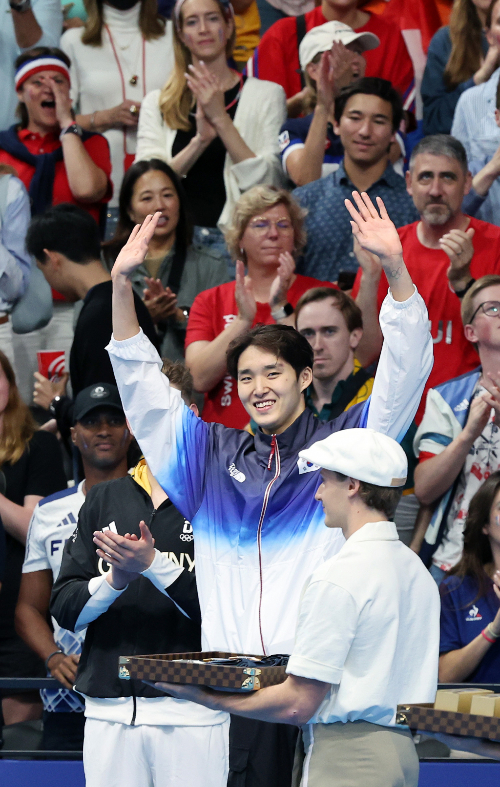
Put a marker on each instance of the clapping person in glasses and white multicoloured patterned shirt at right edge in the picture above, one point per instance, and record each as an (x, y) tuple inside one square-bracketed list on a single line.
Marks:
[(458, 441)]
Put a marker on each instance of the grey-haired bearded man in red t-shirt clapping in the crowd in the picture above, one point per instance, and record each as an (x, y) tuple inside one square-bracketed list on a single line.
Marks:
[(445, 252)]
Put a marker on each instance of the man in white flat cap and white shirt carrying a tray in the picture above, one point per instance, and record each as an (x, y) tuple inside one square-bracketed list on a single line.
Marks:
[(367, 637)]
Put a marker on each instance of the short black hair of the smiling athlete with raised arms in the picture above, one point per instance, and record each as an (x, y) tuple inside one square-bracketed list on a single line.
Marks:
[(282, 340)]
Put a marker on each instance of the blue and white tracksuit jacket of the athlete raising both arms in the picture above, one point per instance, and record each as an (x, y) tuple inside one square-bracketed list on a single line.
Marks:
[(259, 532)]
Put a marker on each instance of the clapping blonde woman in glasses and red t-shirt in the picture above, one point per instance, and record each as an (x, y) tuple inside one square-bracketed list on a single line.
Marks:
[(264, 237)]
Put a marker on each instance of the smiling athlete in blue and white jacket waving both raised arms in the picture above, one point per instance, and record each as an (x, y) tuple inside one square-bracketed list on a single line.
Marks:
[(258, 530)]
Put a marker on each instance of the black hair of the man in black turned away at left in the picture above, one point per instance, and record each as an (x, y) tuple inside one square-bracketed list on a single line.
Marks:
[(67, 229)]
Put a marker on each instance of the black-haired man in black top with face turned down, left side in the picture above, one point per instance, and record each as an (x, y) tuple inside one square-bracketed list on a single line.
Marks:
[(66, 245)]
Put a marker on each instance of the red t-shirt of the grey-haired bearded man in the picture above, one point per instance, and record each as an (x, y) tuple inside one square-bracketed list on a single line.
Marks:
[(453, 354)]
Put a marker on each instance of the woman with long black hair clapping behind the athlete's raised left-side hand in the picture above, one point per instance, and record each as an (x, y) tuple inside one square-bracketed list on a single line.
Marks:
[(175, 270)]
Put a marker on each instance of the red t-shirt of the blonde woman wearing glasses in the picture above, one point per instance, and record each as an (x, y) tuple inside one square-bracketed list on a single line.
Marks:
[(211, 312)]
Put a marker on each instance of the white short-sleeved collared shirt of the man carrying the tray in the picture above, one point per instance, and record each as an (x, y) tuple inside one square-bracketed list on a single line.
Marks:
[(369, 625)]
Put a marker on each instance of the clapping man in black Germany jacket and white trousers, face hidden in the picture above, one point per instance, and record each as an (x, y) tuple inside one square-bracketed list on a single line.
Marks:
[(134, 735)]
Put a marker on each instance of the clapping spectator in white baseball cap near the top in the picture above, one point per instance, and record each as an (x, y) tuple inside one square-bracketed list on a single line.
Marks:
[(330, 58)]
